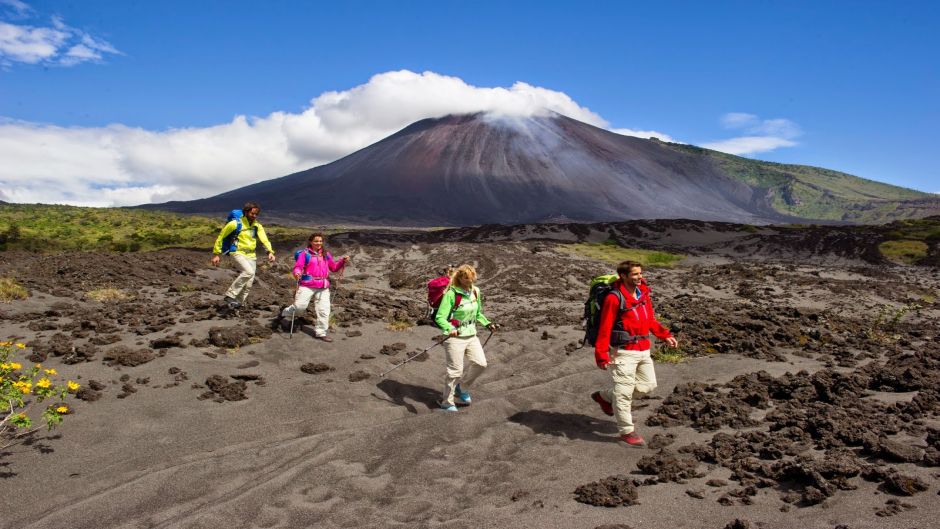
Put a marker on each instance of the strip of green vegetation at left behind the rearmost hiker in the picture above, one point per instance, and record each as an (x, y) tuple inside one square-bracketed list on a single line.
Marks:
[(44, 228)]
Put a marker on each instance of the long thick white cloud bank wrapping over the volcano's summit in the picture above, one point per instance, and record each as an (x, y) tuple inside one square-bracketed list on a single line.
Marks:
[(118, 165)]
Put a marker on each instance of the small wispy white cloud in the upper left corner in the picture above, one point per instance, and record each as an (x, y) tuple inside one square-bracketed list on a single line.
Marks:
[(59, 44)]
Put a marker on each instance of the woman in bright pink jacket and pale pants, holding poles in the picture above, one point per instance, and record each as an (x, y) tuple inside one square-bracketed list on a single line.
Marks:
[(312, 270)]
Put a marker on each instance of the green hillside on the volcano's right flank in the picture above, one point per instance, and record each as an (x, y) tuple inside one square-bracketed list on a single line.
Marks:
[(816, 193)]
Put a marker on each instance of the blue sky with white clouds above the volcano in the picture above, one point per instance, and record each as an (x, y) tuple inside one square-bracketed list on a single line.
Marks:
[(114, 103)]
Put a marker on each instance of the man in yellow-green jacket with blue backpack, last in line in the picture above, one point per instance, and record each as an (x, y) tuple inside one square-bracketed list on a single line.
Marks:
[(244, 254)]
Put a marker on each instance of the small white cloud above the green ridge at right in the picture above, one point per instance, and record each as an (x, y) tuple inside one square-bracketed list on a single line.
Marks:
[(763, 135)]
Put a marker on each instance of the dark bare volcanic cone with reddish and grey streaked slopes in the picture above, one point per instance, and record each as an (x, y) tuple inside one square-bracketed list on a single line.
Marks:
[(473, 169)]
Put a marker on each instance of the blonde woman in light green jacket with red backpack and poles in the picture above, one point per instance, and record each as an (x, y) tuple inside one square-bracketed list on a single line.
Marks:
[(460, 310)]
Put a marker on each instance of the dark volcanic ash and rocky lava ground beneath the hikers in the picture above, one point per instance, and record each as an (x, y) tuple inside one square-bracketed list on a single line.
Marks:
[(809, 395)]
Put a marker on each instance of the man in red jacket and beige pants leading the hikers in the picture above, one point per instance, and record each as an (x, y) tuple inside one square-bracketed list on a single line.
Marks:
[(625, 328)]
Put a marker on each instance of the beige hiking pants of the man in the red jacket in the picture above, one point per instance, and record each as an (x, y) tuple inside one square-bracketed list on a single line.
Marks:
[(631, 371)]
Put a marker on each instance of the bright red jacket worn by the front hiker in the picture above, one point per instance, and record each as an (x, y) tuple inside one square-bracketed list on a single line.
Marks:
[(639, 320)]
